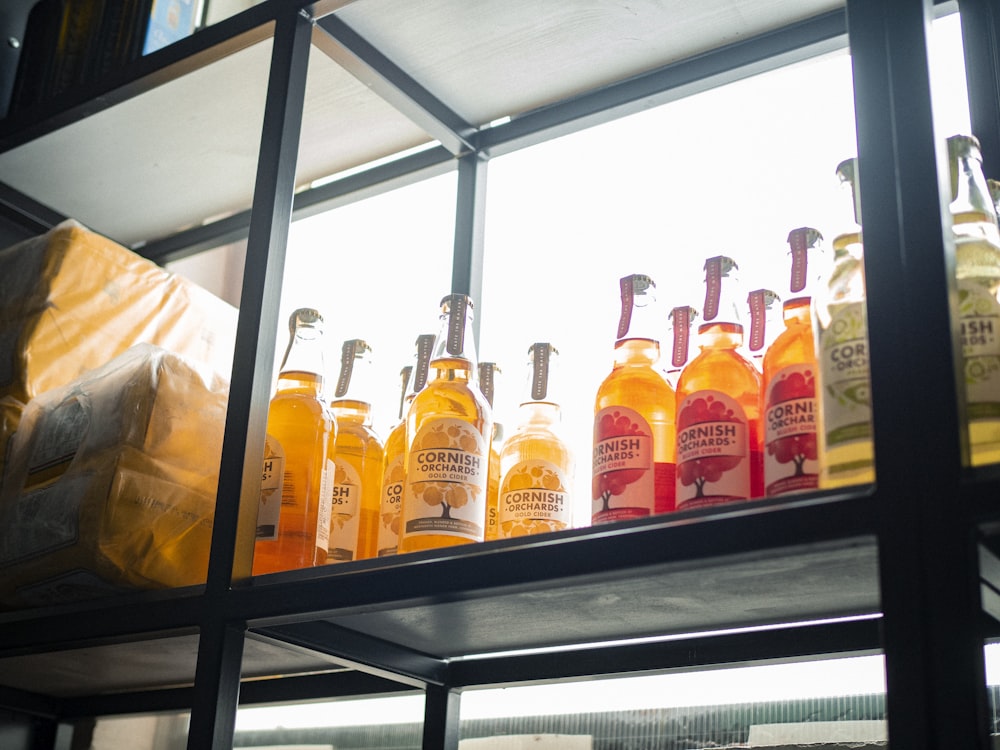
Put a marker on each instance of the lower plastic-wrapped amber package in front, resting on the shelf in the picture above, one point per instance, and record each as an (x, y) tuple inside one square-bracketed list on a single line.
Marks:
[(111, 481)]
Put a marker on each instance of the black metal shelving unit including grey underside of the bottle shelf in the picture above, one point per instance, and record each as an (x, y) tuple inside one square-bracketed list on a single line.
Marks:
[(907, 568)]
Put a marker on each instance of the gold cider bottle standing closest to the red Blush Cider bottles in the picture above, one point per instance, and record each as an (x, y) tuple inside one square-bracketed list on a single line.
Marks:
[(536, 463)]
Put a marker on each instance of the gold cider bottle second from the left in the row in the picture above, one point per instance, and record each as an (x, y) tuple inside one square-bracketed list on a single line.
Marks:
[(357, 459)]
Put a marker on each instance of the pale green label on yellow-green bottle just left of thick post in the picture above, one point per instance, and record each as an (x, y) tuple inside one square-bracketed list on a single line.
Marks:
[(843, 359)]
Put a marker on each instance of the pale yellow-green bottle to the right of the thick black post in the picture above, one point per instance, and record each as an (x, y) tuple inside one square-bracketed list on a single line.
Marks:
[(977, 270)]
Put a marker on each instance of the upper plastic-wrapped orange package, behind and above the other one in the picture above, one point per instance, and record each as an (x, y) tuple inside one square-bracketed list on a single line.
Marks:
[(72, 300)]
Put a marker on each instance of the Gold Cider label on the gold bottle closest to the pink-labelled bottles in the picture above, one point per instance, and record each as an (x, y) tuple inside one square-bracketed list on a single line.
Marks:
[(534, 499)]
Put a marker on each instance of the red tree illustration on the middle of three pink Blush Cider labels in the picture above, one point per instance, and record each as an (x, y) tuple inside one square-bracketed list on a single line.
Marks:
[(701, 421)]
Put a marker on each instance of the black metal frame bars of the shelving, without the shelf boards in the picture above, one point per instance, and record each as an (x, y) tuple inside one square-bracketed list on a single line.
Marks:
[(923, 521)]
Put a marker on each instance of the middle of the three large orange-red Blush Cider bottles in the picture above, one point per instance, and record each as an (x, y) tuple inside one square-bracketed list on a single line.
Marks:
[(719, 433)]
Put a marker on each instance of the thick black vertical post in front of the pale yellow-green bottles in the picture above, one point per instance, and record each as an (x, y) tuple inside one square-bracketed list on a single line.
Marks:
[(933, 648)]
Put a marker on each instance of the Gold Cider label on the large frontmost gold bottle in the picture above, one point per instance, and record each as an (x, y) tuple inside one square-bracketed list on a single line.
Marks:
[(446, 475)]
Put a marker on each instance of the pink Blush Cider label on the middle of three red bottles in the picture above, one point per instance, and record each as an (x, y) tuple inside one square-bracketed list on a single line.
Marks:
[(713, 452)]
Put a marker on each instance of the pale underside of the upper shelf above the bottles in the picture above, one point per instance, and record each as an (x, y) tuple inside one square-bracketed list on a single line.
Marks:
[(162, 146)]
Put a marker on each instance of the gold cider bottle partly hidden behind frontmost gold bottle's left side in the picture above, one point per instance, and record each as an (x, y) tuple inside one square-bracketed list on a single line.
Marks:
[(414, 377)]
